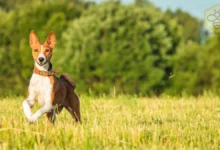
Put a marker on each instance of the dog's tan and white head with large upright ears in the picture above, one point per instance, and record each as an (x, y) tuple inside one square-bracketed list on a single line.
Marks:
[(42, 52)]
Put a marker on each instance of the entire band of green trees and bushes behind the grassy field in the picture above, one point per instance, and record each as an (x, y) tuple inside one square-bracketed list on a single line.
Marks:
[(110, 47)]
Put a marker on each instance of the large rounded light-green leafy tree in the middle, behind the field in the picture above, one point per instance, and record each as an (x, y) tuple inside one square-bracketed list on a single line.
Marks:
[(122, 47)]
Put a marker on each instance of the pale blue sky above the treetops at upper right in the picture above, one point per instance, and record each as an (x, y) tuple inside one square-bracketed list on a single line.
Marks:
[(194, 7)]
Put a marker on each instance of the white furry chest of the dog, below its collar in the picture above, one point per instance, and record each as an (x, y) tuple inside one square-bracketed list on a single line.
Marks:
[(41, 86)]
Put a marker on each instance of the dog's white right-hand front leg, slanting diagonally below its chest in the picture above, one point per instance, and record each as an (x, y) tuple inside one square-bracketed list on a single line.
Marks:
[(46, 108)]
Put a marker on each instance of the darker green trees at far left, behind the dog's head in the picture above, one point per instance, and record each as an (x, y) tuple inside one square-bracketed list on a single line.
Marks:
[(15, 54)]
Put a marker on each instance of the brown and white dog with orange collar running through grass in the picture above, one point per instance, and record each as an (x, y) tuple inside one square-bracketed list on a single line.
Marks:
[(52, 93)]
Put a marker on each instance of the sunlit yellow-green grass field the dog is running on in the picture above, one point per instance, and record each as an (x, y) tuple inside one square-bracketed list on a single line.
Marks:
[(117, 123)]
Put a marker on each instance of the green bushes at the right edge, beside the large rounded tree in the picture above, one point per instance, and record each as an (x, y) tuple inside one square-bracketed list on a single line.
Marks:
[(197, 67)]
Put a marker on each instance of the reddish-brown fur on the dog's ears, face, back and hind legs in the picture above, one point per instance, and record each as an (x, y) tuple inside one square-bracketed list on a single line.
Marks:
[(63, 94)]
